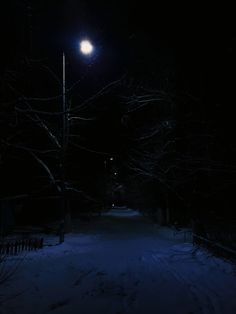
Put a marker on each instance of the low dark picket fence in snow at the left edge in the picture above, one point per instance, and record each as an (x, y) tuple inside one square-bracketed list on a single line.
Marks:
[(17, 246)]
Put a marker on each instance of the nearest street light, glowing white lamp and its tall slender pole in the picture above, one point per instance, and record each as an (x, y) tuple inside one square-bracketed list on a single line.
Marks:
[(86, 49)]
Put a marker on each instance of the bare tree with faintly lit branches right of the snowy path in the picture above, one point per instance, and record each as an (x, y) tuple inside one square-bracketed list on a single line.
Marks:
[(170, 148)]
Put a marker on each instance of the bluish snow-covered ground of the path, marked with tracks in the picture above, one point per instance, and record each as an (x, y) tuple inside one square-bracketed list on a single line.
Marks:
[(120, 264)]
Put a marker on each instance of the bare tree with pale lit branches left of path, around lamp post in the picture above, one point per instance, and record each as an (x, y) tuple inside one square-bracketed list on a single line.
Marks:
[(39, 127)]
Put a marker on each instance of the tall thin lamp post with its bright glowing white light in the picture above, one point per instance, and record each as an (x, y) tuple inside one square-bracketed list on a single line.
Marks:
[(86, 49)]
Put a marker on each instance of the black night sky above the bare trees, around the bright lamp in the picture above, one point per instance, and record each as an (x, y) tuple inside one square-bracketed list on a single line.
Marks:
[(190, 45)]
